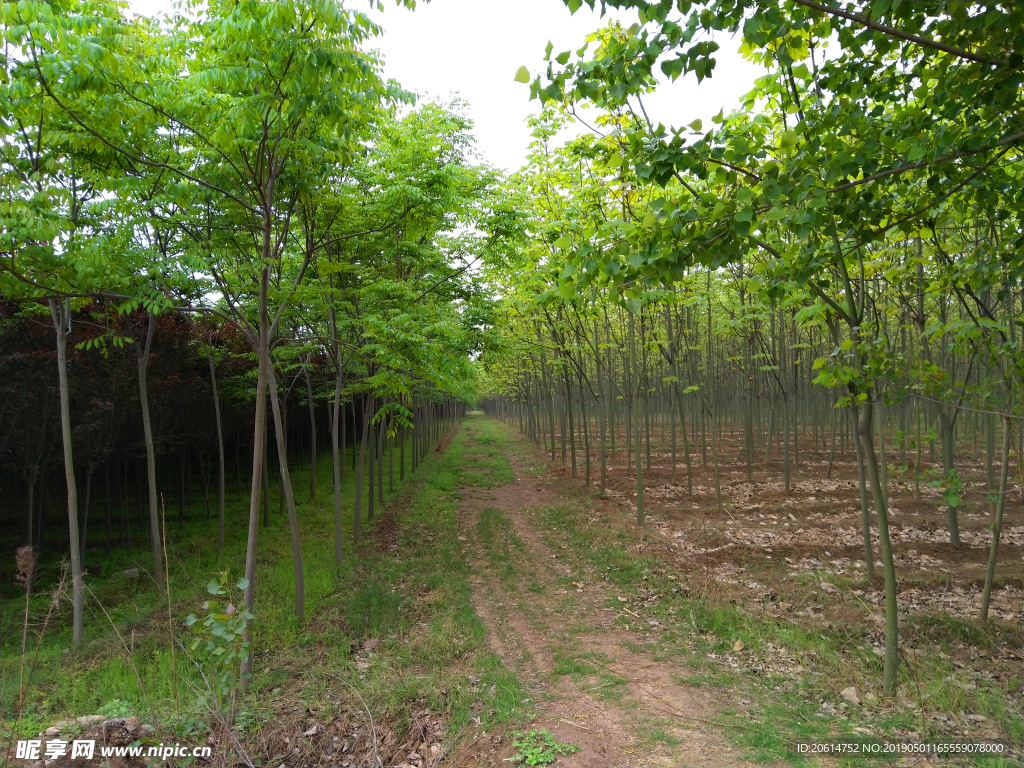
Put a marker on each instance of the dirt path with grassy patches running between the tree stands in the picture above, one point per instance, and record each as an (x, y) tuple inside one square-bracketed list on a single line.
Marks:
[(548, 618)]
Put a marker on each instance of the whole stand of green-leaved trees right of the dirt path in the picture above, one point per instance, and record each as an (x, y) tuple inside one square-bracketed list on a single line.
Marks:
[(841, 255)]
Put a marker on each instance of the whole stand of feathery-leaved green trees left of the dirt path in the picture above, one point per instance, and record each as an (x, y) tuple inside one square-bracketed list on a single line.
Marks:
[(229, 225)]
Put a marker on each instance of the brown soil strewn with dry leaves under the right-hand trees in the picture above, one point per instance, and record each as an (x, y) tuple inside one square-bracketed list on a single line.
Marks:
[(760, 543)]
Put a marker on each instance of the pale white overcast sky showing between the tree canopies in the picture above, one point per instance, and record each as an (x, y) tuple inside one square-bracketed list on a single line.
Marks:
[(473, 49)]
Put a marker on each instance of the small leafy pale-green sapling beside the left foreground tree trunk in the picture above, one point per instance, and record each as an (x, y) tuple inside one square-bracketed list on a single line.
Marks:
[(221, 647)]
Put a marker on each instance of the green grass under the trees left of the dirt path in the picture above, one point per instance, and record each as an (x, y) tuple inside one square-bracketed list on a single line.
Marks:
[(414, 600)]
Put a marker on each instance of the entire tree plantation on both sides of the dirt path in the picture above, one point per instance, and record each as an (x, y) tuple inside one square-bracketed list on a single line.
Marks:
[(229, 243)]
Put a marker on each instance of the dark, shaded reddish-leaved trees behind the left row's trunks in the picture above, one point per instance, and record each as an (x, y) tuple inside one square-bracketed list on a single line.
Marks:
[(201, 424)]
